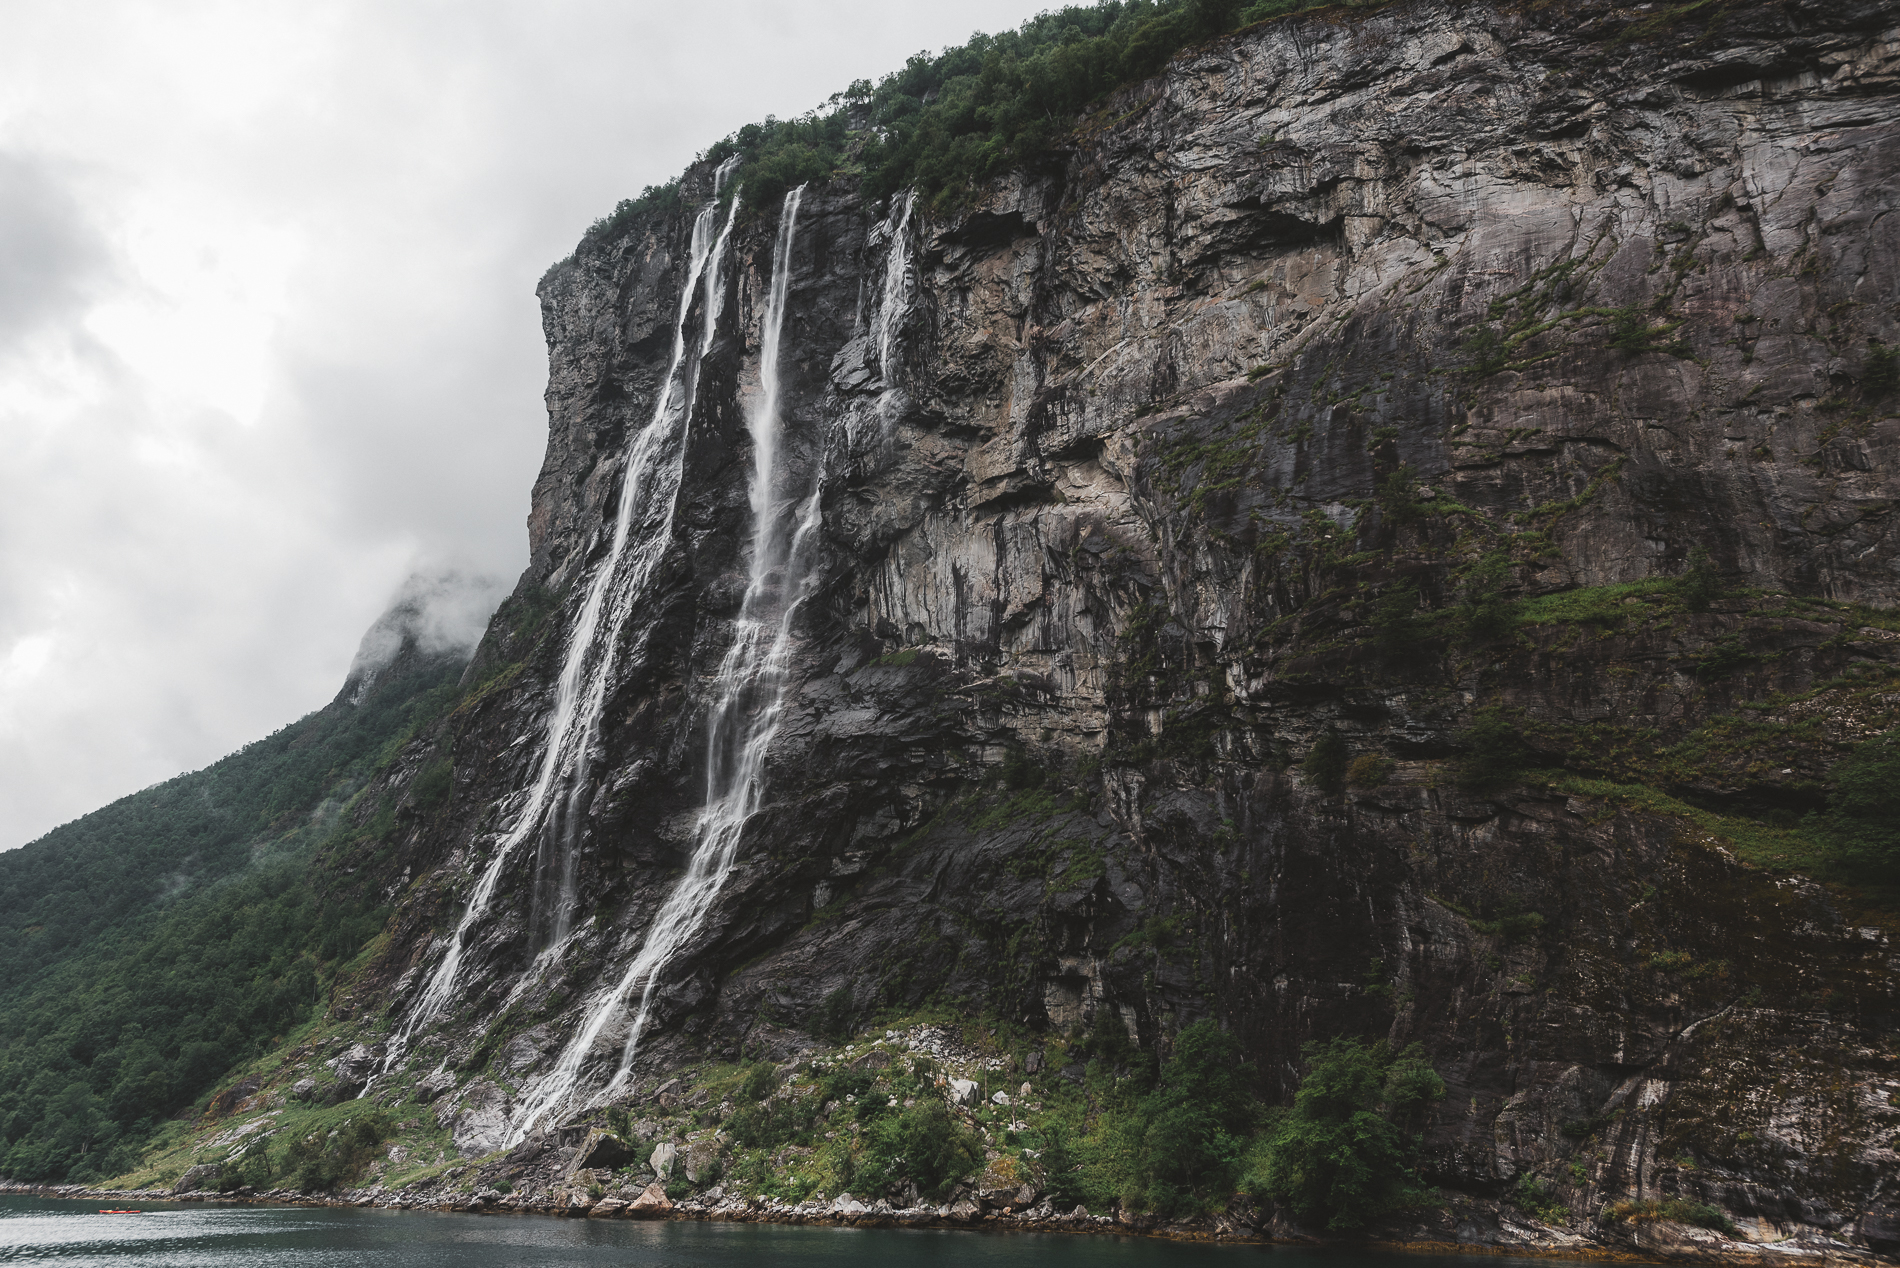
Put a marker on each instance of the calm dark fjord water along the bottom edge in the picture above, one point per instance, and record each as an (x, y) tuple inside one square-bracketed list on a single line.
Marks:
[(73, 1233)]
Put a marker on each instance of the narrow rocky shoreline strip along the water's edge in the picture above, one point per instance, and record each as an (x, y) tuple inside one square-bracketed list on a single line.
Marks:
[(1673, 1248)]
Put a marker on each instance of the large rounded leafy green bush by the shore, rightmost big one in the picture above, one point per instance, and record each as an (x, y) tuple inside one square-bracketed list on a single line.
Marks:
[(1344, 1153)]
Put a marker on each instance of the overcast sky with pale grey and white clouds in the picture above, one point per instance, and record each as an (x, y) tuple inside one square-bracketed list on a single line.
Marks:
[(269, 336)]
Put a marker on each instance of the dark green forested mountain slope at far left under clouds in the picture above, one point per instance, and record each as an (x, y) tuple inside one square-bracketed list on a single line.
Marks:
[(162, 940)]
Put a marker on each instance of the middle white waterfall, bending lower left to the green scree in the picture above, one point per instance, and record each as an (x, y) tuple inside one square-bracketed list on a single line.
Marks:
[(744, 721)]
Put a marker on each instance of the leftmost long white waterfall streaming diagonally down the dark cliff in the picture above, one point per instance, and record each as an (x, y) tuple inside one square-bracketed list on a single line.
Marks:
[(649, 491)]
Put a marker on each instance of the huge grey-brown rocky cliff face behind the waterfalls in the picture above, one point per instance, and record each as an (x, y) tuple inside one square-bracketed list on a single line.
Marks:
[(1367, 374)]
